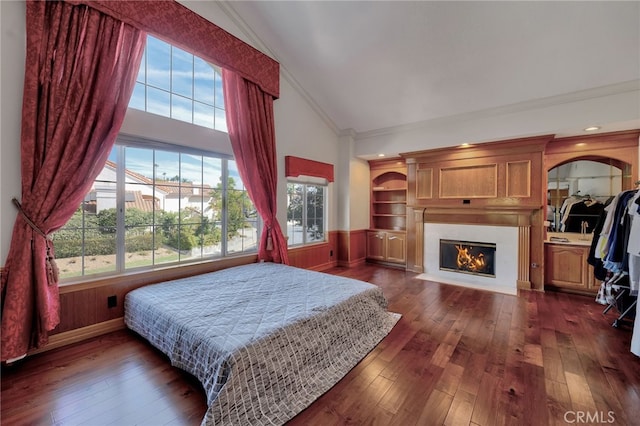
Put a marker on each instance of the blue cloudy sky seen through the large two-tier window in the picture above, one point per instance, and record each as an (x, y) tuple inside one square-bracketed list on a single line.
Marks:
[(174, 83)]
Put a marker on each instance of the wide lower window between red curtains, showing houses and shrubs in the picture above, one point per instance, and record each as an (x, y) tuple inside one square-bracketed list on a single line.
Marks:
[(153, 206)]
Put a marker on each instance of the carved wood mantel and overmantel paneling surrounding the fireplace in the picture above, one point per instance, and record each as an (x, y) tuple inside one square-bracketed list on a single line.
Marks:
[(496, 183)]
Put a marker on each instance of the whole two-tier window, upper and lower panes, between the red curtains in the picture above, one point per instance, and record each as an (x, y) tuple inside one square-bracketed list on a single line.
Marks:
[(163, 203)]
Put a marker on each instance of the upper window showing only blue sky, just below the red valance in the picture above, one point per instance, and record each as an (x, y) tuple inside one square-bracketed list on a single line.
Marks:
[(176, 84)]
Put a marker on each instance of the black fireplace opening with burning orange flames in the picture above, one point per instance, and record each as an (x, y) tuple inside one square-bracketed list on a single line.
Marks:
[(468, 257)]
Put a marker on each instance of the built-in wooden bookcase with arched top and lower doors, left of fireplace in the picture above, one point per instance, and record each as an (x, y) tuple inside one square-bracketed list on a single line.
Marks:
[(386, 240)]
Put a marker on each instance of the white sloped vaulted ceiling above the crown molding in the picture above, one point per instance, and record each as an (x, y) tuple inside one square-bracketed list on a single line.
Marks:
[(370, 65)]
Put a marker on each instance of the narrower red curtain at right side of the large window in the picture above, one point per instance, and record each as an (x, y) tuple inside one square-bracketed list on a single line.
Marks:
[(250, 123)]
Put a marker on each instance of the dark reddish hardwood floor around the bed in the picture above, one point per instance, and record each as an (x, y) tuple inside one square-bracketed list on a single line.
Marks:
[(457, 357)]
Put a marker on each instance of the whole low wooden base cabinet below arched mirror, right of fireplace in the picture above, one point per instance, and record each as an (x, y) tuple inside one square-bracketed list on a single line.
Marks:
[(566, 268)]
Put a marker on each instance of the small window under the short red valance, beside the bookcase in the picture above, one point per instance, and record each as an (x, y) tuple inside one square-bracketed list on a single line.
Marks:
[(306, 219)]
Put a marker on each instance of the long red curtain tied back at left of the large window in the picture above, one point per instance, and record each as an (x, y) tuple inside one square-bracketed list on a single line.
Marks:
[(81, 67)]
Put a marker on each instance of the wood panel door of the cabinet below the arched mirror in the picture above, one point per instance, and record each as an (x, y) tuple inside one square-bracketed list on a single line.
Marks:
[(566, 266)]
